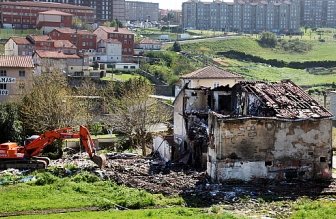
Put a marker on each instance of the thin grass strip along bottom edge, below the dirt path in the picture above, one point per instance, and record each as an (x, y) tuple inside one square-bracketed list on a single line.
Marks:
[(163, 213)]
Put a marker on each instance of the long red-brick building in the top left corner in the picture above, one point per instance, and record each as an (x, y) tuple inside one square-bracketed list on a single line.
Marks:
[(24, 15)]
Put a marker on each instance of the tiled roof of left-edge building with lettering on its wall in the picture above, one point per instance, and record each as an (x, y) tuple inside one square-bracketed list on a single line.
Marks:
[(16, 61)]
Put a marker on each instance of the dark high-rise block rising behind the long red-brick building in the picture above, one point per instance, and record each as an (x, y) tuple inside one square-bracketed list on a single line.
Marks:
[(106, 10)]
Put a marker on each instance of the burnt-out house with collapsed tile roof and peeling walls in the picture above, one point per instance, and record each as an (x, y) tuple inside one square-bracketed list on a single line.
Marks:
[(253, 129)]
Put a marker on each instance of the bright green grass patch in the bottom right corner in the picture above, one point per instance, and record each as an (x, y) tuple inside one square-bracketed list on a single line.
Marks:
[(309, 209)]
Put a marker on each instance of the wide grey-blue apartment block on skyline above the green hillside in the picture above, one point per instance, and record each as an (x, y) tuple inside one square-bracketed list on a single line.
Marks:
[(250, 17)]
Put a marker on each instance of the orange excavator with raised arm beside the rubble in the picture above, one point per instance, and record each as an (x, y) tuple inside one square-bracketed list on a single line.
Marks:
[(28, 156)]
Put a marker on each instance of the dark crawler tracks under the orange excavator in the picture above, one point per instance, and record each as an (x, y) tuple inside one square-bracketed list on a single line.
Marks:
[(35, 163)]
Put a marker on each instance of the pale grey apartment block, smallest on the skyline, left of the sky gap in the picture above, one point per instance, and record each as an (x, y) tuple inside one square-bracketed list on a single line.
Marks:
[(141, 11)]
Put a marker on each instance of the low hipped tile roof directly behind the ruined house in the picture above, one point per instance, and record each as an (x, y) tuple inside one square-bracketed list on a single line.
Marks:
[(211, 72)]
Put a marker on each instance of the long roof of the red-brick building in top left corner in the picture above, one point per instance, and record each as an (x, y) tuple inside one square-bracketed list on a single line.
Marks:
[(47, 4)]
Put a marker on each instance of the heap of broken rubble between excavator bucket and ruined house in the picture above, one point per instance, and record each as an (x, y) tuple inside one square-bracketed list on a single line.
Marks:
[(154, 176)]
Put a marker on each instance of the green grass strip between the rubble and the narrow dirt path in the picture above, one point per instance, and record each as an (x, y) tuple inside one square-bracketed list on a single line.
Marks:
[(83, 190)]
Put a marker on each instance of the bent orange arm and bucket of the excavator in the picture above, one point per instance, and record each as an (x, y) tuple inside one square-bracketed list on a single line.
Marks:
[(35, 147)]
